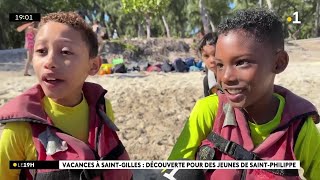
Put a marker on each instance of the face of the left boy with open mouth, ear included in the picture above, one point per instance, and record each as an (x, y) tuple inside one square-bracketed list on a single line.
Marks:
[(61, 62)]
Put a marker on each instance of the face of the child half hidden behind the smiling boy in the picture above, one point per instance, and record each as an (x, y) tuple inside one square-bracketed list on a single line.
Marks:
[(207, 55)]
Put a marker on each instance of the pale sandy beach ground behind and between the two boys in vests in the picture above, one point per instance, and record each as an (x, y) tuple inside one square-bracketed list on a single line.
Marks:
[(151, 109)]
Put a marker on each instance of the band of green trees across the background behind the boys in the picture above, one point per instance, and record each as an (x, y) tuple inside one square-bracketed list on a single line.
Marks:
[(183, 17)]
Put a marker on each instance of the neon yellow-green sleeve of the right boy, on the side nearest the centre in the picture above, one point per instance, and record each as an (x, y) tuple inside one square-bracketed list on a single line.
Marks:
[(196, 129)]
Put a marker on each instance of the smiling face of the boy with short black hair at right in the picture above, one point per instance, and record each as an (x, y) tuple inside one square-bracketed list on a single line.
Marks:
[(245, 69)]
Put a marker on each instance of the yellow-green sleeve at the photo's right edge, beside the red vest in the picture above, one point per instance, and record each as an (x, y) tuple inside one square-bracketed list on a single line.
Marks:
[(307, 149)]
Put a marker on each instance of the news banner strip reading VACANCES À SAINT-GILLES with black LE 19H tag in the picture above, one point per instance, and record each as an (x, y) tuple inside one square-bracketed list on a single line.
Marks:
[(182, 164)]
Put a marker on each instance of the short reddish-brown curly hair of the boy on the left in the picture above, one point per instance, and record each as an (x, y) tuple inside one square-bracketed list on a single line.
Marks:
[(77, 22)]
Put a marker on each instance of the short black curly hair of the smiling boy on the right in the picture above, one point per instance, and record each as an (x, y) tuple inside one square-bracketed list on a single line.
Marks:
[(262, 24)]
